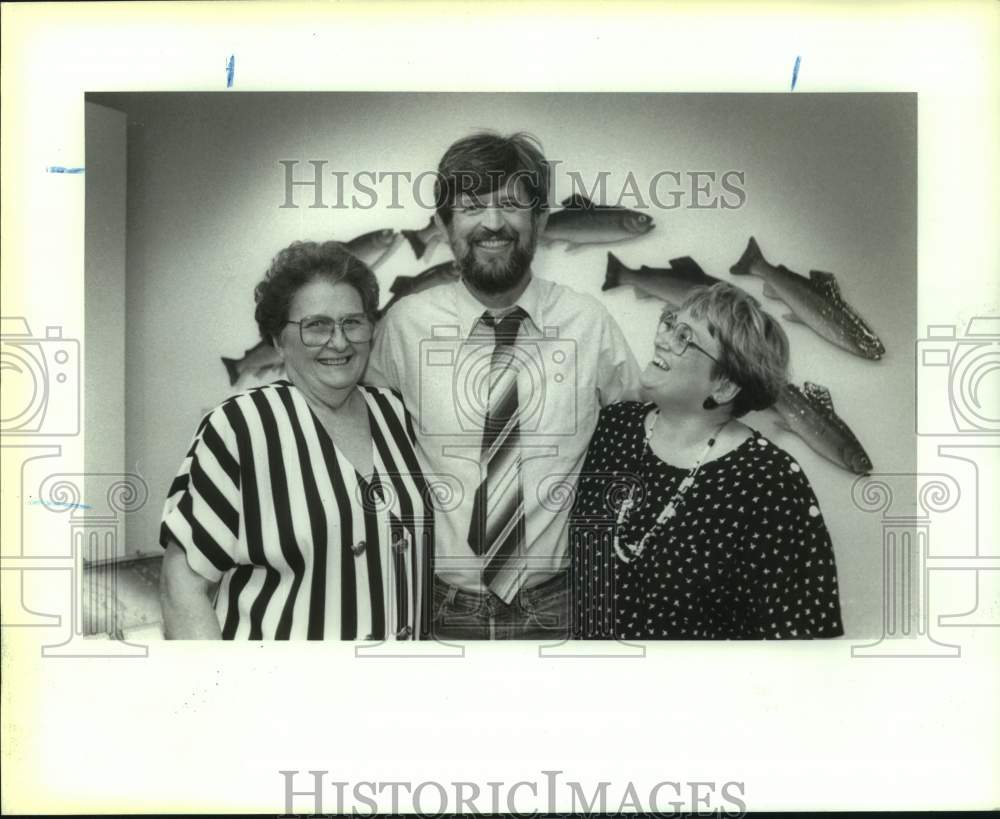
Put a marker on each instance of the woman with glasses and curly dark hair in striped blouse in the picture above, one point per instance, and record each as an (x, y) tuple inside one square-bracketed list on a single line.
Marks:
[(300, 511)]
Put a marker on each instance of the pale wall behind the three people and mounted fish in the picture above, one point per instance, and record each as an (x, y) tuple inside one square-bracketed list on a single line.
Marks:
[(831, 183)]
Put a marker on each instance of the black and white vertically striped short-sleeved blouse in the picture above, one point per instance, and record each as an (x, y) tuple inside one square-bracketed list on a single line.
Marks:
[(304, 547)]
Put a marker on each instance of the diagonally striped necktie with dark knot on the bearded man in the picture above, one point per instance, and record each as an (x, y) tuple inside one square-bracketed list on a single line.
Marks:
[(497, 528)]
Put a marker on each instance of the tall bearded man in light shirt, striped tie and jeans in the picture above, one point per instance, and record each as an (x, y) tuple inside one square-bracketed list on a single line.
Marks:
[(505, 374)]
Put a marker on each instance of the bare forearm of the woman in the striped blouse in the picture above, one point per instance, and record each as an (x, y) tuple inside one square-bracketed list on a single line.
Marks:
[(186, 600)]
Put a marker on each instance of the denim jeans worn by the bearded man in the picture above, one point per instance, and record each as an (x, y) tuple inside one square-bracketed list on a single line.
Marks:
[(539, 613)]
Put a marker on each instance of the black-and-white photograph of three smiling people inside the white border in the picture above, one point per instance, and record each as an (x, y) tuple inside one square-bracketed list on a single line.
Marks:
[(745, 413)]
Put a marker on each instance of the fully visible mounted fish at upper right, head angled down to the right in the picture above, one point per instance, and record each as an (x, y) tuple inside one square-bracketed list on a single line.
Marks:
[(815, 302)]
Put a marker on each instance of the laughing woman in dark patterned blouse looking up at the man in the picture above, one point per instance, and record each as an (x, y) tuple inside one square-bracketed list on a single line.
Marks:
[(687, 523)]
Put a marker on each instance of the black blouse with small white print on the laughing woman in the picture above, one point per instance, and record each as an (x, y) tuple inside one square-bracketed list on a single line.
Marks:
[(746, 557)]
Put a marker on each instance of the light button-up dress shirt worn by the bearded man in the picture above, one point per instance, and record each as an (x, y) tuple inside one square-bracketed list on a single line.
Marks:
[(433, 348)]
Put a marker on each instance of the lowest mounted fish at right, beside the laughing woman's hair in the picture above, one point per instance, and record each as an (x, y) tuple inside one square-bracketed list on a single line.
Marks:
[(809, 414)]
